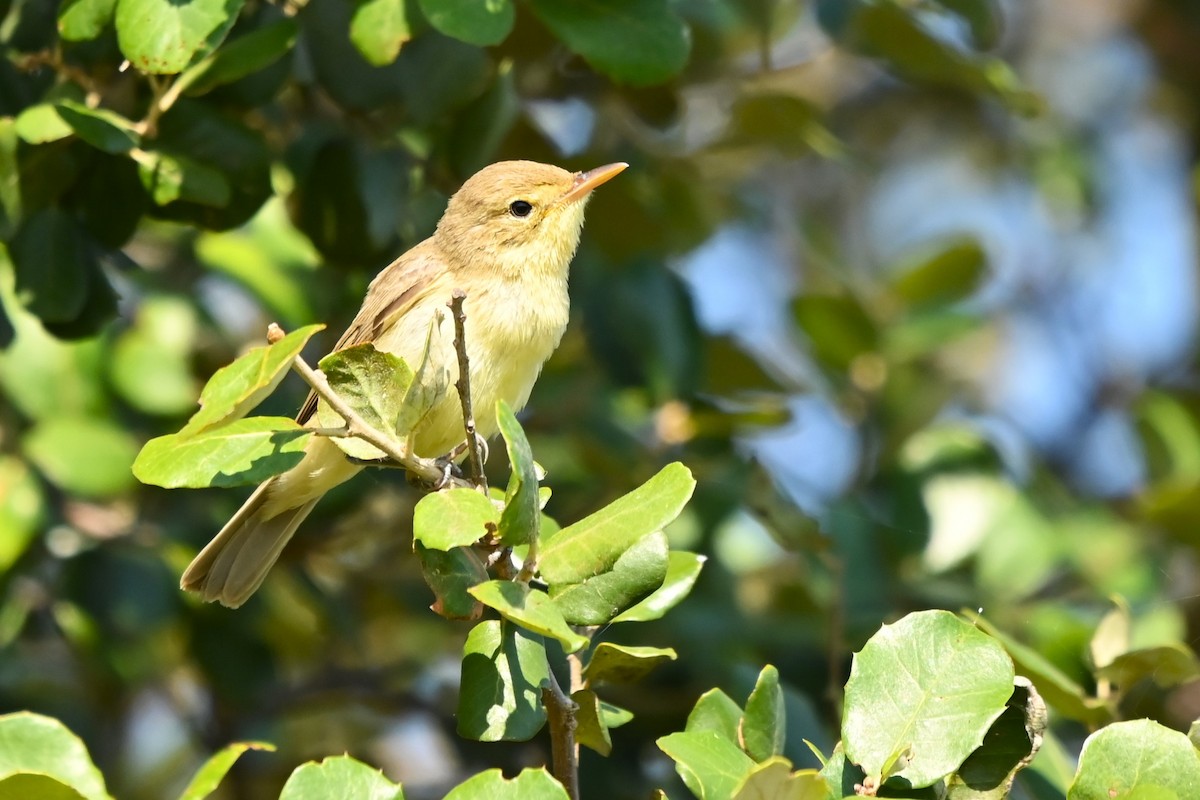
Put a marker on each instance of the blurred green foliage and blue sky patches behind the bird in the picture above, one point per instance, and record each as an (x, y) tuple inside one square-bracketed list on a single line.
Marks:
[(910, 285)]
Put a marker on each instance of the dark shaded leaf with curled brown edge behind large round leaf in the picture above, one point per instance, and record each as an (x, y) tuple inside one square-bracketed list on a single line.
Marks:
[(1011, 744)]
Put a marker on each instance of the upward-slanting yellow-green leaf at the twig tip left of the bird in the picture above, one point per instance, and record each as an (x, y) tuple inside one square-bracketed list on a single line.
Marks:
[(235, 390)]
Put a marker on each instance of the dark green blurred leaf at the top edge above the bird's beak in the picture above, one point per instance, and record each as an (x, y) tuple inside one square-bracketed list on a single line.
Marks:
[(639, 43)]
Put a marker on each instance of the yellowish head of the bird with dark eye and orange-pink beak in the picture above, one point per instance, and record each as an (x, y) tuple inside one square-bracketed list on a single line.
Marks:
[(520, 218)]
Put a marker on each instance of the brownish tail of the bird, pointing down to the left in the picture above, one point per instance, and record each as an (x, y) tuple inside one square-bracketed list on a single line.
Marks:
[(236, 562)]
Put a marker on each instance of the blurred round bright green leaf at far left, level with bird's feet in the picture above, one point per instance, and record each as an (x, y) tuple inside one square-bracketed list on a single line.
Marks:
[(85, 456)]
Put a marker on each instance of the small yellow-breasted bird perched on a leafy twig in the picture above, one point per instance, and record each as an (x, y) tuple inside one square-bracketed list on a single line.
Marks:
[(506, 239)]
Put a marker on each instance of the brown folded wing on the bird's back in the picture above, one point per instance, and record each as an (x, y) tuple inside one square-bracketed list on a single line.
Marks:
[(392, 294)]
